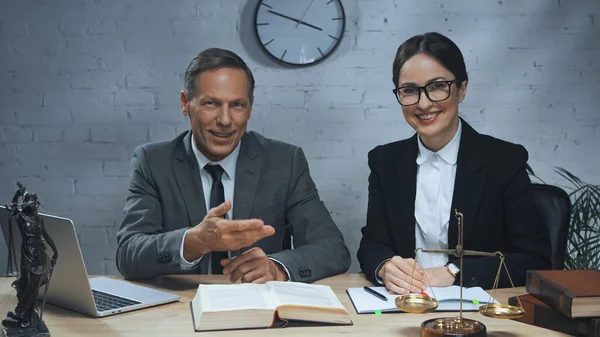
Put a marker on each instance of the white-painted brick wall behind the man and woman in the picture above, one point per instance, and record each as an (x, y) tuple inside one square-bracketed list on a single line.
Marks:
[(82, 83)]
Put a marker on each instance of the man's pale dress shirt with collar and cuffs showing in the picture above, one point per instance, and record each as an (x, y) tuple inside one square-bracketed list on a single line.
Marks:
[(228, 179)]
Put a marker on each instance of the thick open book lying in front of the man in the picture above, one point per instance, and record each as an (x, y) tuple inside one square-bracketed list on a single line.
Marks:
[(245, 306)]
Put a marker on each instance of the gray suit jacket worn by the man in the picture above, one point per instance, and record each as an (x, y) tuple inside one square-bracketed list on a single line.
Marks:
[(272, 183)]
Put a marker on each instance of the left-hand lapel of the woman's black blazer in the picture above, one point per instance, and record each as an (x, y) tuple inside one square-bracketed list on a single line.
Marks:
[(404, 184)]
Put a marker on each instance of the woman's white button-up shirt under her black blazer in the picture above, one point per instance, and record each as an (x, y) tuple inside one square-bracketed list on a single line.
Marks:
[(436, 173)]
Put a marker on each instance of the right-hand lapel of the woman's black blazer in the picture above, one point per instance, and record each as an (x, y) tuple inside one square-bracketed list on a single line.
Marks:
[(468, 185)]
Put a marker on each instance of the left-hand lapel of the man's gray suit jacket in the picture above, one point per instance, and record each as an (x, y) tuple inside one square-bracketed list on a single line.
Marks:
[(187, 175)]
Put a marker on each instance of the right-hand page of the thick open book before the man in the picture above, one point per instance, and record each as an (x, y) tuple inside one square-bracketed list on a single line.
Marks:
[(293, 293)]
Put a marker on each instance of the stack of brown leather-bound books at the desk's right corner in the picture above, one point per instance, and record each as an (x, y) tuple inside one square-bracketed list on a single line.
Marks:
[(566, 301)]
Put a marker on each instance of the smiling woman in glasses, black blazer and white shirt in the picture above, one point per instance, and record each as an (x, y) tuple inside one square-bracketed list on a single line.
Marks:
[(416, 184)]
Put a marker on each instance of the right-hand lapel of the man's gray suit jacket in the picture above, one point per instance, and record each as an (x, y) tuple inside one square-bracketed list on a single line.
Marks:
[(247, 173)]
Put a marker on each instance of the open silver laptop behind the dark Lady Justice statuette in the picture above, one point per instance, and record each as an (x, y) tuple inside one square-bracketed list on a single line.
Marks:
[(70, 286)]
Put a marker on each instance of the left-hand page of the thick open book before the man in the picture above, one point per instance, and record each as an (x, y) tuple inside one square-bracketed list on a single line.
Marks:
[(227, 297)]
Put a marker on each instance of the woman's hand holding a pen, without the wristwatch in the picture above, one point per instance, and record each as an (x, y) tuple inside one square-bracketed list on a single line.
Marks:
[(402, 276)]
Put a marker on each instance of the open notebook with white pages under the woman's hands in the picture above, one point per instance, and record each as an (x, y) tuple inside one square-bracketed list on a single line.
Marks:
[(448, 297)]
